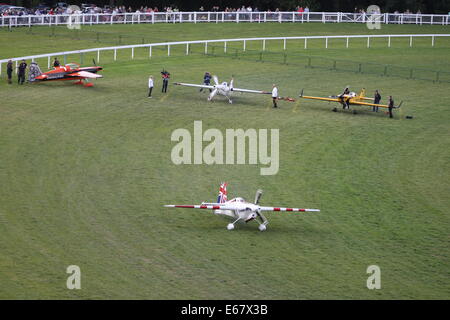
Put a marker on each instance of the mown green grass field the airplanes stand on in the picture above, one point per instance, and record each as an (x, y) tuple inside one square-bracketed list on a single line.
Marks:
[(85, 173)]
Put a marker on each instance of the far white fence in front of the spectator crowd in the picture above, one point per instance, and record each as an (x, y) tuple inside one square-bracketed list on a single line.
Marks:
[(218, 17)]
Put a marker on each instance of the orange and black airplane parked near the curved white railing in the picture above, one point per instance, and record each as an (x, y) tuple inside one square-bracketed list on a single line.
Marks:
[(71, 71)]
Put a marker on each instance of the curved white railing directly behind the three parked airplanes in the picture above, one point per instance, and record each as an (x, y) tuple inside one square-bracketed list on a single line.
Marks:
[(244, 41)]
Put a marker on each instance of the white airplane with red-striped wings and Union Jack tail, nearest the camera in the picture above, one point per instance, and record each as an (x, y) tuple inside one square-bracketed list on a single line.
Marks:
[(240, 210)]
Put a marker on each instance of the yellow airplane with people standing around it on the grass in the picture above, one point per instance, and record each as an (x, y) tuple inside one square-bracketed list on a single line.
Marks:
[(348, 98)]
